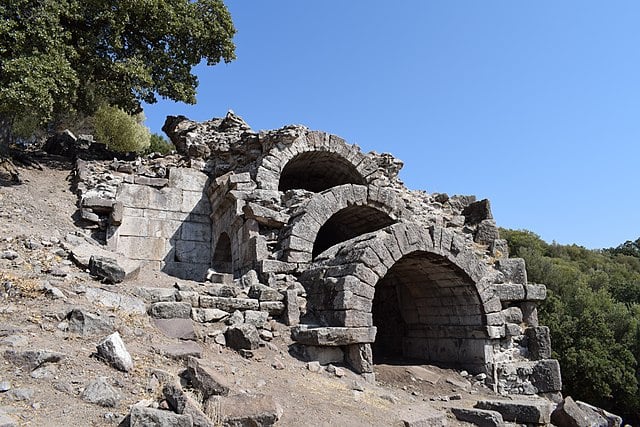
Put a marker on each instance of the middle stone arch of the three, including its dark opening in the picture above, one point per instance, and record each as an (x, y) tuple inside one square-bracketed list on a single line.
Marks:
[(337, 215)]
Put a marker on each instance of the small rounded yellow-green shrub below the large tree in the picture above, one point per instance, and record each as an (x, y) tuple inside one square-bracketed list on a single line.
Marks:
[(120, 131)]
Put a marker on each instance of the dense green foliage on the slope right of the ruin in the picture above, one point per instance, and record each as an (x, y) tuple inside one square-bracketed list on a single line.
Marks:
[(593, 311)]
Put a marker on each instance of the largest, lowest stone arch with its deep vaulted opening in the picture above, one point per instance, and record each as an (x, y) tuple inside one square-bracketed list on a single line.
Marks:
[(428, 294)]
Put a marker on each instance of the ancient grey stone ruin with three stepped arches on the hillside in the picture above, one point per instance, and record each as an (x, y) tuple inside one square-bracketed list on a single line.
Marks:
[(313, 232)]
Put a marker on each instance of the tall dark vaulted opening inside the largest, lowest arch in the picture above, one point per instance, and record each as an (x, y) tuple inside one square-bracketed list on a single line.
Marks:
[(426, 308)]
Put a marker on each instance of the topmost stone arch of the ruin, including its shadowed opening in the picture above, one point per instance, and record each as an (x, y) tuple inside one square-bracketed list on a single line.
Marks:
[(315, 161)]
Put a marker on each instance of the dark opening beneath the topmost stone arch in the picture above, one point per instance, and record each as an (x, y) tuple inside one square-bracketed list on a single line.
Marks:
[(317, 171)]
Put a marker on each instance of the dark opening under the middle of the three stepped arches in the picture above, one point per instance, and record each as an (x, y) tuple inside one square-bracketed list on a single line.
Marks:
[(347, 224)]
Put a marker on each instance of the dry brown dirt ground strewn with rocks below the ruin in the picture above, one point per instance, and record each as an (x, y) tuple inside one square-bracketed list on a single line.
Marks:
[(35, 219)]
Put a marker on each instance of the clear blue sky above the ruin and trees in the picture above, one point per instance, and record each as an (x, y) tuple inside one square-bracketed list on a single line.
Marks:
[(534, 105)]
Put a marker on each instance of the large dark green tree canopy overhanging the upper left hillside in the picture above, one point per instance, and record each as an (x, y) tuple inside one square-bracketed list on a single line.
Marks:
[(65, 57)]
